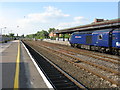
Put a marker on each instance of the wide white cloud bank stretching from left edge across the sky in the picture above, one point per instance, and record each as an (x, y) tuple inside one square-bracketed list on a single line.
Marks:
[(51, 17)]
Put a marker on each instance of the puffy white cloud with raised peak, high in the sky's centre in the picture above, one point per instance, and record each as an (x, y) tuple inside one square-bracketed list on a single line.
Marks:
[(50, 14)]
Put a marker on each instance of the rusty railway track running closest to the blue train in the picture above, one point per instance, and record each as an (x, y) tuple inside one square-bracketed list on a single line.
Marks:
[(76, 52)]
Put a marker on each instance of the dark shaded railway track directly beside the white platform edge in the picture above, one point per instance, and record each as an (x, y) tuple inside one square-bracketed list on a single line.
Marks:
[(57, 77)]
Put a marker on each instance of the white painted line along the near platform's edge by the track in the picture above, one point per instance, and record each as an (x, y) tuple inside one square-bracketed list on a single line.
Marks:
[(39, 70)]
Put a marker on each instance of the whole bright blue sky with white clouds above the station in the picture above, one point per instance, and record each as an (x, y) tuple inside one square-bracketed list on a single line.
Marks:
[(30, 17)]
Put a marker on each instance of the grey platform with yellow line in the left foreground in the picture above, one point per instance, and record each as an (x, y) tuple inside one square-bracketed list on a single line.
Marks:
[(18, 70)]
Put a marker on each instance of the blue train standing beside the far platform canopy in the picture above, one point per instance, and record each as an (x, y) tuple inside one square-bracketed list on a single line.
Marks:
[(104, 40)]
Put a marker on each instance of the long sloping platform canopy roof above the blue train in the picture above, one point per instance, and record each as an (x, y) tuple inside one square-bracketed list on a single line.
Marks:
[(114, 23)]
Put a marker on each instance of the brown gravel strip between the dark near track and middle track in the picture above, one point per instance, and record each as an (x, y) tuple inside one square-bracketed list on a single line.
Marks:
[(88, 79)]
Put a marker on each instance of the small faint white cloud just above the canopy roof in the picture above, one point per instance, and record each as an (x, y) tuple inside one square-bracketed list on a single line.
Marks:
[(77, 21)]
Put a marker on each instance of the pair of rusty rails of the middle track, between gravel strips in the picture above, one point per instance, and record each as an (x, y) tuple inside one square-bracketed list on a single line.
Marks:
[(77, 60)]
